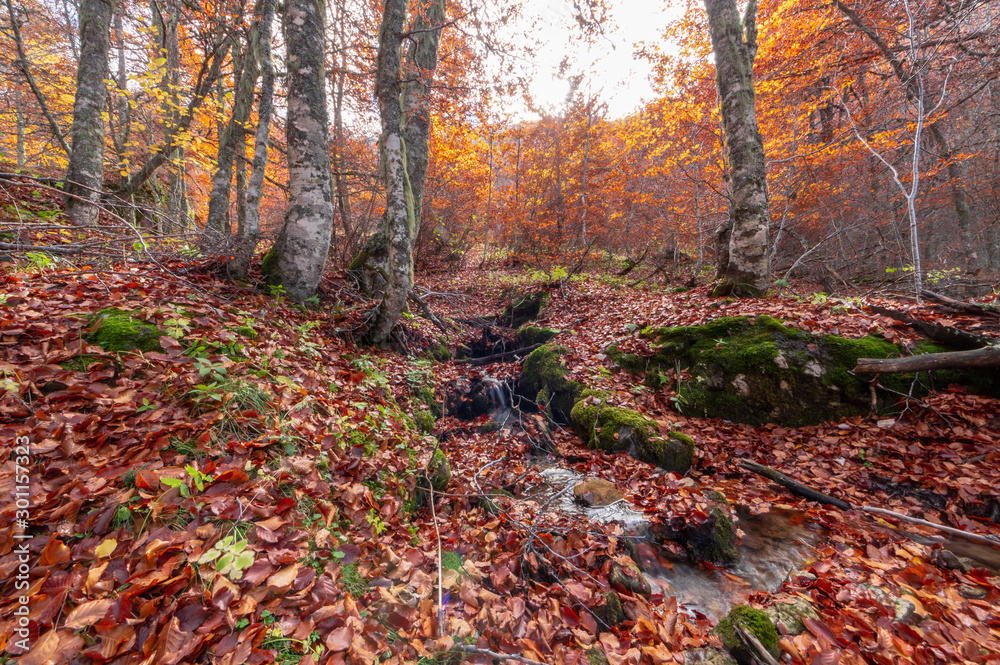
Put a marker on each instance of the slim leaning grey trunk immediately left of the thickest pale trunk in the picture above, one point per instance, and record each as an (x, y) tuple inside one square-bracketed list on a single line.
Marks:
[(246, 243)]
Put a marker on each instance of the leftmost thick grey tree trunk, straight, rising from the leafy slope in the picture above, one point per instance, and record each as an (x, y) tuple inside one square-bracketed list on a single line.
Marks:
[(85, 173)]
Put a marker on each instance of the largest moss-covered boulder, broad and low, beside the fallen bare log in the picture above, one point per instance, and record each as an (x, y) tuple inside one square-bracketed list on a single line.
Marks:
[(755, 370)]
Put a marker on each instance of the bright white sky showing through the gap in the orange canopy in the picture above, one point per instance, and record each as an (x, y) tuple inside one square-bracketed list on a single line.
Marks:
[(618, 78)]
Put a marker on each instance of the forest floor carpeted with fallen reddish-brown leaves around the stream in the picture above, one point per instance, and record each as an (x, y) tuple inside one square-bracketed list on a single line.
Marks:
[(247, 493)]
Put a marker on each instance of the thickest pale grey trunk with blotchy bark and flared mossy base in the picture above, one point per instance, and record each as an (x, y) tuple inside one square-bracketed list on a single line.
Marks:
[(299, 255)]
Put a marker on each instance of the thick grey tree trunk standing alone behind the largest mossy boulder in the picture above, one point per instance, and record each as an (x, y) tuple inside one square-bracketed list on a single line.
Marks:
[(747, 271)]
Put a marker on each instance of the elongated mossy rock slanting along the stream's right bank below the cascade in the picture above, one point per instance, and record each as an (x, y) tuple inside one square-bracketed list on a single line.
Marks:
[(616, 429)]
